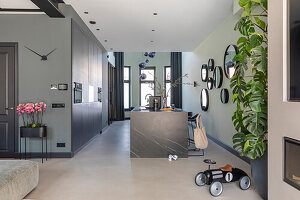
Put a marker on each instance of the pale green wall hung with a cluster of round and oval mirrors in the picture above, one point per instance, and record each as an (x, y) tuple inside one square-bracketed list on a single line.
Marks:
[(217, 119)]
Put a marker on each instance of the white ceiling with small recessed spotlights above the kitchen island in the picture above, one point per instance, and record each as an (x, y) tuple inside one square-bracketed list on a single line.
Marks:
[(127, 24)]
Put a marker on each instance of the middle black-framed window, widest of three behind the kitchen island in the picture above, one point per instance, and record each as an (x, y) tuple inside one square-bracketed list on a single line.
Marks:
[(147, 86)]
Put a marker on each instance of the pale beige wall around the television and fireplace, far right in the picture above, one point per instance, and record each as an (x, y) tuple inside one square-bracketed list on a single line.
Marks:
[(283, 116)]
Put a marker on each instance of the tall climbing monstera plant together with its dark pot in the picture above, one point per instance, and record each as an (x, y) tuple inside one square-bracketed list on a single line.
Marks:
[(250, 90)]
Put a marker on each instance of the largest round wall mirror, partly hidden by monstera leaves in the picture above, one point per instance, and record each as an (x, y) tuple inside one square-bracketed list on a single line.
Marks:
[(229, 65)]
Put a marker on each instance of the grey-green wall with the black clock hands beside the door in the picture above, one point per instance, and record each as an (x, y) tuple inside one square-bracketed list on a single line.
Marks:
[(43, 34)]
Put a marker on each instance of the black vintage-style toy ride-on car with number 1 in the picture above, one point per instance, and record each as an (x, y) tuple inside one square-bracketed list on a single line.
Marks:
[(215, 178)]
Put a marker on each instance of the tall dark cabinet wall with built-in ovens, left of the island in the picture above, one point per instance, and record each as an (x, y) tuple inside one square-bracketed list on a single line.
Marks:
[(86, 69)]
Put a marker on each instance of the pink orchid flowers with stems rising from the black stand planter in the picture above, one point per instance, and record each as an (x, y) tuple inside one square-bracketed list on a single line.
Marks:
[(32, 114)]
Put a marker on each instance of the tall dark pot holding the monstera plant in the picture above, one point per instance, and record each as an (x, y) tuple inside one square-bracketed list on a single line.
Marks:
[(259, 171)]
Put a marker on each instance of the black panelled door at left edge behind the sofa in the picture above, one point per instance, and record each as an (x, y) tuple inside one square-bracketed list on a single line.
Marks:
[(8, 123)]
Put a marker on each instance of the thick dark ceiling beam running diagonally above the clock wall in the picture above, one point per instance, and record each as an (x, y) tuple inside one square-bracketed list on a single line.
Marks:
[(50, 7)]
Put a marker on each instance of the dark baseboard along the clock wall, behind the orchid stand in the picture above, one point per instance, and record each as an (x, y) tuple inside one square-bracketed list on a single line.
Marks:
[(39, 155)]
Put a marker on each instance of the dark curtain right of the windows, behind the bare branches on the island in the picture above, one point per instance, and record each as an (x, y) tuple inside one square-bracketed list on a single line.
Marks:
[(176, 72)]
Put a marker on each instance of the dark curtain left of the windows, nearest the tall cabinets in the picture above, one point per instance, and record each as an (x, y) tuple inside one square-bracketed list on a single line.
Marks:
[(119, 56)]
